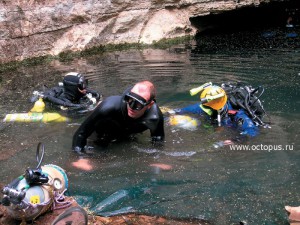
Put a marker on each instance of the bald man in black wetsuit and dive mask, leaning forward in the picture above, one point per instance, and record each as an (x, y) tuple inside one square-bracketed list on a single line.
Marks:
[(120, 116)]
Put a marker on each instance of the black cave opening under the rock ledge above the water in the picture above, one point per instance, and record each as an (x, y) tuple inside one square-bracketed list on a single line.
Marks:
[(267, 15)]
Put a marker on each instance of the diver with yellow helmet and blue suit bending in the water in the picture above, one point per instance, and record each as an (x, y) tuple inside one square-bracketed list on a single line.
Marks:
[(230, 105)]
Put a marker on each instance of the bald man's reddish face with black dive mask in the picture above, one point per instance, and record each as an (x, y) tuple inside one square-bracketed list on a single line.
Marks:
[(138, 101)]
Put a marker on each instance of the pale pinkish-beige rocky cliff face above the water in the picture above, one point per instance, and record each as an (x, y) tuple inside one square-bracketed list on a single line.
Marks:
[(32, 28)]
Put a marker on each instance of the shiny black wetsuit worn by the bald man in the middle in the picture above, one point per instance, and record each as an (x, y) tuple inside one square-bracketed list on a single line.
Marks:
[(111, 121)]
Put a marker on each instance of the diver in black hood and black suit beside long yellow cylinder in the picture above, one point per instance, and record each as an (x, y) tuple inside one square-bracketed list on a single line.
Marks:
[(72, 95)]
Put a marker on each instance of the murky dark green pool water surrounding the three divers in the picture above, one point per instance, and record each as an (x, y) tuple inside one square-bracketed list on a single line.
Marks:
[(197, 181)]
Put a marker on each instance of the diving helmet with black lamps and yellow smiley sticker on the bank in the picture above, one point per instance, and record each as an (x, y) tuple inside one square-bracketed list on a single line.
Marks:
[(36, 191)]
